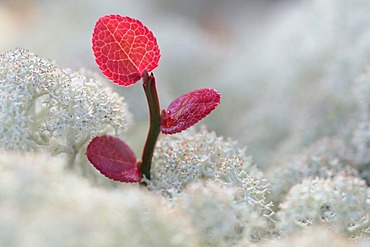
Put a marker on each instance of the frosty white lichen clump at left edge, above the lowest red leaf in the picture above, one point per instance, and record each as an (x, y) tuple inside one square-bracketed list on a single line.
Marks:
[(44, 106)]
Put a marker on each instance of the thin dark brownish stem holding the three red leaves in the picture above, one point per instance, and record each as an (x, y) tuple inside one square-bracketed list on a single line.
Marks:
[(151, 94)]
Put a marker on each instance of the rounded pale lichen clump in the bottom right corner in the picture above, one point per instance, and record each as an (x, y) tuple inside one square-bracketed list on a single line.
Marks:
[(342, 202)]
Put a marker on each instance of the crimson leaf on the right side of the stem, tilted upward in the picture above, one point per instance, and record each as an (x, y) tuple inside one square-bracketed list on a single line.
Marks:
[(188, 109)]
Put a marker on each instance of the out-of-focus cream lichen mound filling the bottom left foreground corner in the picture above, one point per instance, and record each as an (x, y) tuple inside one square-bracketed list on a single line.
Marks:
[(43, 205)]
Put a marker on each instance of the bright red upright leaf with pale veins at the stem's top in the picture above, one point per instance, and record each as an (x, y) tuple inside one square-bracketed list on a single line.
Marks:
[(124, 48)]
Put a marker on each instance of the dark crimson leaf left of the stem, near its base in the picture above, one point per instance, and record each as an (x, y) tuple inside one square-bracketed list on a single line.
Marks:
[(114, 159)]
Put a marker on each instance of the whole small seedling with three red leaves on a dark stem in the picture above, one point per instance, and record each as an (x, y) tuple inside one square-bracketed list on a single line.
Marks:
[(126, 51)]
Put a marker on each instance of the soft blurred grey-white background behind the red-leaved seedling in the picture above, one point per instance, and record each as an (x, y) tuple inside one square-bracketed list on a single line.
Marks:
[(284, 68)]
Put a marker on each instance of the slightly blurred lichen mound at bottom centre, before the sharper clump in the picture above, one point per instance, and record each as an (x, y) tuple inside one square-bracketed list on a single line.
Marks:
[(219, 218)]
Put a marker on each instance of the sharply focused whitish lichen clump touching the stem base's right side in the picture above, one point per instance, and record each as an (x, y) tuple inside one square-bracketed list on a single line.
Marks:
[(192, 155)]
